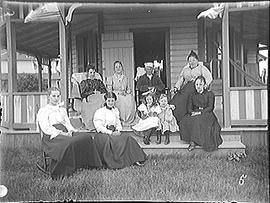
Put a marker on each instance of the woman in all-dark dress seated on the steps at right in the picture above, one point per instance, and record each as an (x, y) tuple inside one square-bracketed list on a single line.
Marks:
[(200, 126)]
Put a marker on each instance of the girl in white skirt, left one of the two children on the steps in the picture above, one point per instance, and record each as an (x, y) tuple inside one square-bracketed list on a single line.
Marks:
[(149, 121)]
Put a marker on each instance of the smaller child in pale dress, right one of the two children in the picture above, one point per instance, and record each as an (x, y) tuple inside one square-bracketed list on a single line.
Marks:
[(167, 120)]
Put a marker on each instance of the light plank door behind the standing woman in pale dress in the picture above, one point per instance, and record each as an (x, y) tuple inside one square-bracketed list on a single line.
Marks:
[(118, 47)]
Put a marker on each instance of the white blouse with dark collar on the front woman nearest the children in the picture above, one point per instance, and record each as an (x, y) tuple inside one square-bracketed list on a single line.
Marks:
[(104, 117)]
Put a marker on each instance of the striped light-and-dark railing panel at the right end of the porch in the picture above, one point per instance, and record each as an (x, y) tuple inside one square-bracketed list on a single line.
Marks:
[(249, 106)]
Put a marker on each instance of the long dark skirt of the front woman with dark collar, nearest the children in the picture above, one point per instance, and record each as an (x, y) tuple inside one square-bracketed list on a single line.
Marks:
[(118, 152)]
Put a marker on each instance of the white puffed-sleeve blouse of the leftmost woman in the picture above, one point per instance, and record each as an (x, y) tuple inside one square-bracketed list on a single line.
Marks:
[(49, 115)]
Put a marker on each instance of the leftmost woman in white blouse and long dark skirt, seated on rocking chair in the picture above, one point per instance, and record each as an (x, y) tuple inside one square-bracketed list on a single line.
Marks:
[(67, 148)]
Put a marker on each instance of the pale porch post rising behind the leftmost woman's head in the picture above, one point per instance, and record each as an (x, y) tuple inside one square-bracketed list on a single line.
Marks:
[(63, 60)]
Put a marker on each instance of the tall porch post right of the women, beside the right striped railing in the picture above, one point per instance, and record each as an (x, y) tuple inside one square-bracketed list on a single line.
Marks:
[(226, 68)]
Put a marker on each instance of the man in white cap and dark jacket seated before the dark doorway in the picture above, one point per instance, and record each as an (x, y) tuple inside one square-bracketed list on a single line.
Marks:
[(149, 82)]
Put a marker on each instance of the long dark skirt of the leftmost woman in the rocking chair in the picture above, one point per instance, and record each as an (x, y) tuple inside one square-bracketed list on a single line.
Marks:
[(71, 153)]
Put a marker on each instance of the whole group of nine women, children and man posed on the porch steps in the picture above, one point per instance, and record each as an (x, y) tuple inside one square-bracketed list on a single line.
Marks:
[(190, 112)]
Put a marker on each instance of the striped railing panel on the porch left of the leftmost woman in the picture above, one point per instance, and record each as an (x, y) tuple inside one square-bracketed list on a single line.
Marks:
[(26, 106)]
